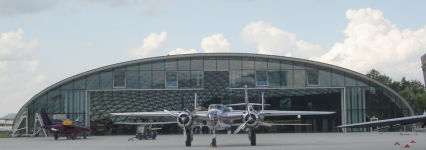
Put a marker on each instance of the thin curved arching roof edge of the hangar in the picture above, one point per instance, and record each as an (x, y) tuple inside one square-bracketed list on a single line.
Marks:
[(366, 81)]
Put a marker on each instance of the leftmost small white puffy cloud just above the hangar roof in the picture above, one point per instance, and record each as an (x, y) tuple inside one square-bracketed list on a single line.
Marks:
[(153, 42)]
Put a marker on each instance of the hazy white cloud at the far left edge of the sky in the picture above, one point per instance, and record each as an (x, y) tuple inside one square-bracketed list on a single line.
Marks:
[(17, 82)]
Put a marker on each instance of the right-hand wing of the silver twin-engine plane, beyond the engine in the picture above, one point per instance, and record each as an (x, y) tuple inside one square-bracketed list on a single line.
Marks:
[(290, 113)]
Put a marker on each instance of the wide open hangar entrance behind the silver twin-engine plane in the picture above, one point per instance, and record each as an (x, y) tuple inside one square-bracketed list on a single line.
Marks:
[(101, 103)]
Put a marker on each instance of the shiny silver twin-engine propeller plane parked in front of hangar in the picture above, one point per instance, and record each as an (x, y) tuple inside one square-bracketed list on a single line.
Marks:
[(220, 117)]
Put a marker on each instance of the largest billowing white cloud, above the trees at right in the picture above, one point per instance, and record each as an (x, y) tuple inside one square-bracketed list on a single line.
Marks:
[(373, 42)]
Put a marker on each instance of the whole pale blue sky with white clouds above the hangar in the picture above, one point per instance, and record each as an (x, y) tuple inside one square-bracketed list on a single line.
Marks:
[(45, 41)]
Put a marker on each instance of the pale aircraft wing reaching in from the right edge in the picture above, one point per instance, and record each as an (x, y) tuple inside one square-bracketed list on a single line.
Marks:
[(390, 122)]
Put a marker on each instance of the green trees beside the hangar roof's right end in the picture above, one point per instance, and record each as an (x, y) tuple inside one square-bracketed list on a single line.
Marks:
[(413, 91)]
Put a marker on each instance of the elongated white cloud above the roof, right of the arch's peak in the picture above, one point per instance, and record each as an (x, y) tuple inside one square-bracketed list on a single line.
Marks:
[(271, 40)]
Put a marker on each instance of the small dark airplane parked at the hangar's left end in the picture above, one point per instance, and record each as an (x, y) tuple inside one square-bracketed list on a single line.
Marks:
[(67, 127)]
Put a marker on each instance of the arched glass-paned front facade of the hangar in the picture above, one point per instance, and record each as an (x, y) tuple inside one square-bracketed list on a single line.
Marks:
[(170, 83)]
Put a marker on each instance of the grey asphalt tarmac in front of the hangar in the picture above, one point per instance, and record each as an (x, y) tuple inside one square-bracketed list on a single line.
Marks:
[(290, 141)]
